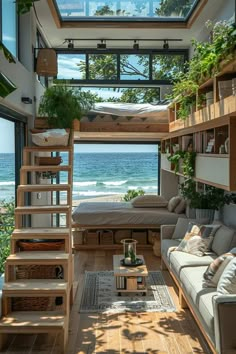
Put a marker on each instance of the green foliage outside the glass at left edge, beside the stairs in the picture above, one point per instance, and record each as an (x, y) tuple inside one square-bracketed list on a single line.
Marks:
[(6, 228)]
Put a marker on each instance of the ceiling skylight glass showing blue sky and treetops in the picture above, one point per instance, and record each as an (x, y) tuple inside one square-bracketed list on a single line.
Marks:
[(131, 10)]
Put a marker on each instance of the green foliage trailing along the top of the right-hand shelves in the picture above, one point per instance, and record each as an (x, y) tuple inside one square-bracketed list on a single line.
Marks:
[(204, 64)]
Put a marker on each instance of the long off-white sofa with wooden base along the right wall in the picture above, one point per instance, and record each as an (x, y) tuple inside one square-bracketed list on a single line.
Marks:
[(214, 313)]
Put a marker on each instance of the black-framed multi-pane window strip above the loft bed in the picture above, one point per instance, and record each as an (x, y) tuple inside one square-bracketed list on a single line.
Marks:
[(90, 66)]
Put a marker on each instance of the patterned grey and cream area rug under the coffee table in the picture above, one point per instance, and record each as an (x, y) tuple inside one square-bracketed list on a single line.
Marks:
[(99, 295)]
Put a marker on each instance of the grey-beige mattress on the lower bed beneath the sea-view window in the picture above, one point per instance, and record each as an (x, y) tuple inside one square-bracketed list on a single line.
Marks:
[(115, 214)]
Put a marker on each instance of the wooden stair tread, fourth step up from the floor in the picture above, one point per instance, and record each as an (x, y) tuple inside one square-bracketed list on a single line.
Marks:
[(44, 233)]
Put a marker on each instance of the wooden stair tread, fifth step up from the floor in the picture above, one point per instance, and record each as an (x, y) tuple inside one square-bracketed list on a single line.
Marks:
[(42, 209)]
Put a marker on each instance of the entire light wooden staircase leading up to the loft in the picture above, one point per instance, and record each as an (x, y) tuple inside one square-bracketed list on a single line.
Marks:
[(38, 289)]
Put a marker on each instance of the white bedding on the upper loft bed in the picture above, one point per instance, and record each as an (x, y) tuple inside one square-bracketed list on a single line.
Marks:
[(128, 109)]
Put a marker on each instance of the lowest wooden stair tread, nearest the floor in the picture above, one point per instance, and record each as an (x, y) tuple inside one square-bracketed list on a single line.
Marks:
[(38, 321)]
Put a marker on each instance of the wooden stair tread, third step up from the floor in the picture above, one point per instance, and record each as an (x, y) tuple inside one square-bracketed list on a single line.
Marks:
[(38, 257)]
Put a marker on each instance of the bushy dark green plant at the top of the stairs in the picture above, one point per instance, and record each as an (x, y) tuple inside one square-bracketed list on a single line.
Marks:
[(62, 104)]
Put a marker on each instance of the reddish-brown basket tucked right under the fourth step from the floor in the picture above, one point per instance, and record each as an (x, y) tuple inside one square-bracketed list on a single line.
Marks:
[(41, 245)]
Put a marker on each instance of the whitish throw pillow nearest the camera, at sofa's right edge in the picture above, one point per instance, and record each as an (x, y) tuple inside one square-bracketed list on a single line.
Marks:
[(227, 282)]
